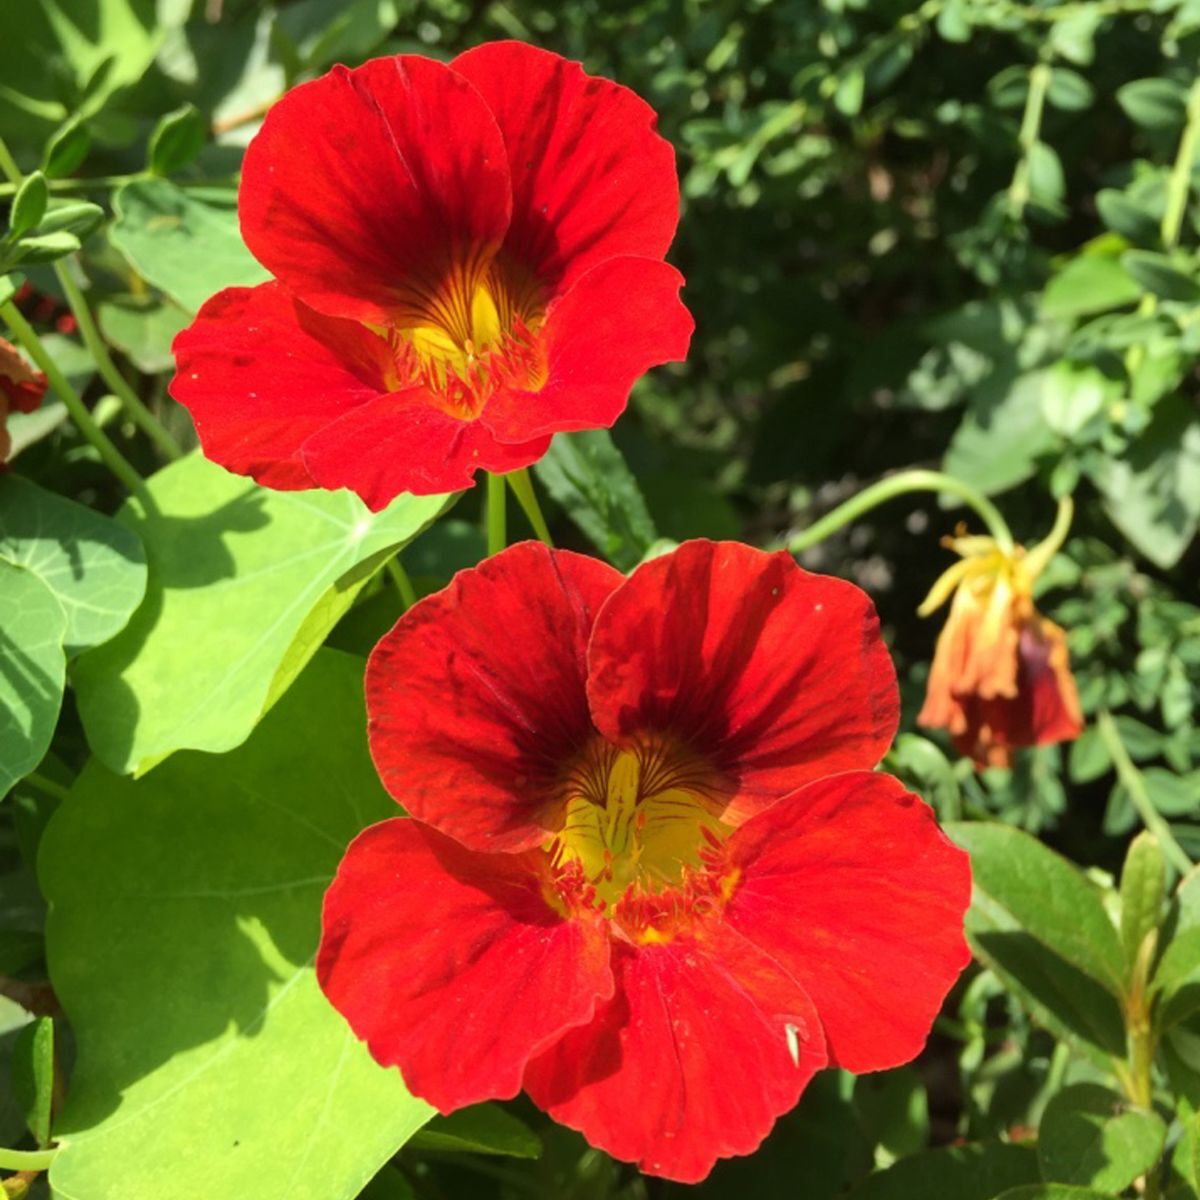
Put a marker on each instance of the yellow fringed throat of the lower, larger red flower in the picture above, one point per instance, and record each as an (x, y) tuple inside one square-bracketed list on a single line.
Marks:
[(641, 838)]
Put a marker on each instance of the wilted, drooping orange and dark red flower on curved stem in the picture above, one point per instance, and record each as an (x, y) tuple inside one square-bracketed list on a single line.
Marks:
[(1001, 676)]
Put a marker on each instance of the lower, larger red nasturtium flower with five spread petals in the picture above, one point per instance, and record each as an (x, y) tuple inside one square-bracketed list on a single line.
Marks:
[(649, 875)]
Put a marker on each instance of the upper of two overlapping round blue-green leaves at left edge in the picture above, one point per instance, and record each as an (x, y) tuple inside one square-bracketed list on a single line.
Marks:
[(94, 567)]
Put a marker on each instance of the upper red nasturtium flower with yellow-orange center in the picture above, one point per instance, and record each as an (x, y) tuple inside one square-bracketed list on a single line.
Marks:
[(467, 260)]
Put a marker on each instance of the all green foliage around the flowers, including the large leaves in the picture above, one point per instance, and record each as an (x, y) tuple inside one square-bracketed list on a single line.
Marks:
[(958, 235)]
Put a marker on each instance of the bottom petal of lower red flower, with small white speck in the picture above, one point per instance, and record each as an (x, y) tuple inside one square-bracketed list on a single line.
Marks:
[(705, 1045)]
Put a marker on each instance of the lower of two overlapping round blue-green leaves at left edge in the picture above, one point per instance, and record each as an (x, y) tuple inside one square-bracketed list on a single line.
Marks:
[(33, 671)]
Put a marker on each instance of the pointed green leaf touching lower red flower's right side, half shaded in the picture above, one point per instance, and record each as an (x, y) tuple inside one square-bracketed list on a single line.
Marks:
[(1040, 923)]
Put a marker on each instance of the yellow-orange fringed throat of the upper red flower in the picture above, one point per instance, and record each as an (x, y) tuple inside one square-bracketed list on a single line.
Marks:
[(466, 332)]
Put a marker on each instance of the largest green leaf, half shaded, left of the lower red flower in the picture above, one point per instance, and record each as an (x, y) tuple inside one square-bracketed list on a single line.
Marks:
[(184, 920)]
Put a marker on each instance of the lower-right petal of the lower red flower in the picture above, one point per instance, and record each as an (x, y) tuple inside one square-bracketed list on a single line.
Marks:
[(853, 887)]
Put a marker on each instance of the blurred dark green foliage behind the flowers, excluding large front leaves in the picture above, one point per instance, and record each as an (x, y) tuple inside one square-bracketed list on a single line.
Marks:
[(961, 235)]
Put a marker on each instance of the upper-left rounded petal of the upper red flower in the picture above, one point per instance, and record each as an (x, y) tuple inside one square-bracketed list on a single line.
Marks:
[(364, 178)]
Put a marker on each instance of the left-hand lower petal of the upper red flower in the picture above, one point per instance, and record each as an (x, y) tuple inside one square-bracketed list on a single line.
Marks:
[(260, 374)]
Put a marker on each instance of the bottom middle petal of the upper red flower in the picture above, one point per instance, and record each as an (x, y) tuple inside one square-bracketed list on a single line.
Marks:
[(401, 443)]
